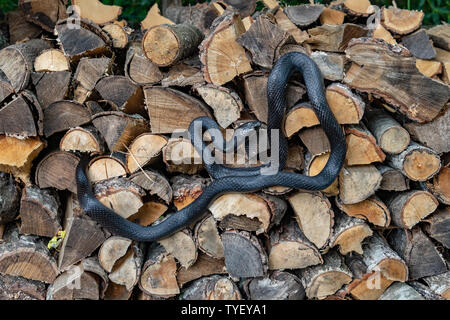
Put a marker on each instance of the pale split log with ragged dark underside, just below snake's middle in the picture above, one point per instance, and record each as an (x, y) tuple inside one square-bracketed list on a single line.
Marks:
[(229, 209)]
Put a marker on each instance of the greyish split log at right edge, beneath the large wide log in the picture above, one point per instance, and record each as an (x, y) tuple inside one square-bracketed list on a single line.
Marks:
[(432, 134)]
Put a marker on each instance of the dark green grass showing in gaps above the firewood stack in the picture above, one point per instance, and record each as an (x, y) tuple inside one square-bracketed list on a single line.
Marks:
[(134, 11)]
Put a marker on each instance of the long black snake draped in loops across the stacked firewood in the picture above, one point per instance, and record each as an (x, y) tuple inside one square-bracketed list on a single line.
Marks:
[(236, 179)]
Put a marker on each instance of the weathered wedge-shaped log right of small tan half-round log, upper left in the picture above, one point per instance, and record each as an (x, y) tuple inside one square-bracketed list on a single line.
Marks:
[(89, 72)]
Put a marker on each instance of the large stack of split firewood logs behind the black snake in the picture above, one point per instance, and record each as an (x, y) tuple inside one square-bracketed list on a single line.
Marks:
[(88, 83)]
